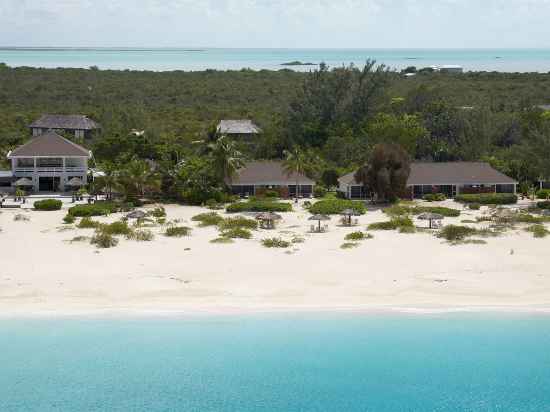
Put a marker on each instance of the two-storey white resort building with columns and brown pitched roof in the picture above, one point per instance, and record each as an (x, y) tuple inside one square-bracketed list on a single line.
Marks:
[(49, 163)]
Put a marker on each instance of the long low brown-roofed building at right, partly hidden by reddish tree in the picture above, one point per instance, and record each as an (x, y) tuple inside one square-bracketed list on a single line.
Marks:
[(450, 178)]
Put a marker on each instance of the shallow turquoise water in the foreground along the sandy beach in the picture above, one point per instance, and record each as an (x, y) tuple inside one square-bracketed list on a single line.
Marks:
[(277, 363)]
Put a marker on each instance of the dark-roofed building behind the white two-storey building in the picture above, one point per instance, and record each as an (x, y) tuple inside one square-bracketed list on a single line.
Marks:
[(78, 125)]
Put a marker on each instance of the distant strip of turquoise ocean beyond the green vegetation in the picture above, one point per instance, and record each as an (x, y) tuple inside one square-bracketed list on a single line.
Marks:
[(505, 60)]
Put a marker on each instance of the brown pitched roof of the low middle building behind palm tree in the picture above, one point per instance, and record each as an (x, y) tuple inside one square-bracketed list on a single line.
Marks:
[(267, 173)]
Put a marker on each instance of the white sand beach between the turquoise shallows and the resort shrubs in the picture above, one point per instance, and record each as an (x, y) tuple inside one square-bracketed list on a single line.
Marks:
[(42, 272)]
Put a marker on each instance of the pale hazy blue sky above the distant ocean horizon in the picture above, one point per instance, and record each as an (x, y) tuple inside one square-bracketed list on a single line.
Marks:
[(276, 23)]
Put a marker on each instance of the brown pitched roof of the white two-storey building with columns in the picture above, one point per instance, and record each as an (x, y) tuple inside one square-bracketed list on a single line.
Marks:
[(49, 144)]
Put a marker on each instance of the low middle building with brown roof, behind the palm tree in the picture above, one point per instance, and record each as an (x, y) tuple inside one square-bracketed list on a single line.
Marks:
[(259, 176)]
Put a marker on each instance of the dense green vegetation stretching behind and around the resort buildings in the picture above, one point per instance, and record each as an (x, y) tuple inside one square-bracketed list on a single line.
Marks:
[(336, 118)]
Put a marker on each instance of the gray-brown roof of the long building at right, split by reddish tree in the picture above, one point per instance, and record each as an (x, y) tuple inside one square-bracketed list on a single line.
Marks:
[(447, 173)]
